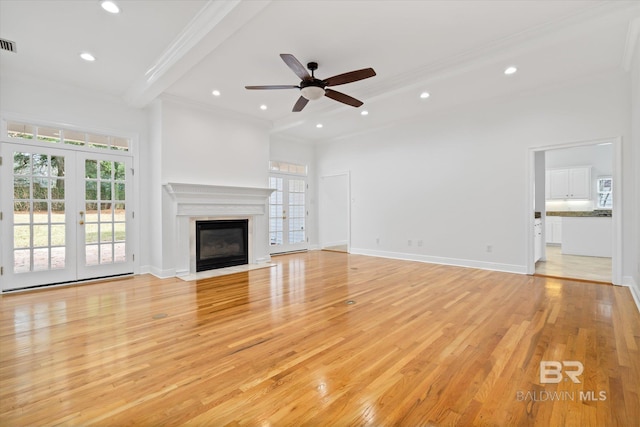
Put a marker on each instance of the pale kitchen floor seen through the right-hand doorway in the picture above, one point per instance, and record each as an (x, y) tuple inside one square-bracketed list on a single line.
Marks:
[(576, 267)]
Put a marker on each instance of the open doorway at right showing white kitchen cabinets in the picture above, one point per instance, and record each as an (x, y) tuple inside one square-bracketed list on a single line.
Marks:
[(580, 236)]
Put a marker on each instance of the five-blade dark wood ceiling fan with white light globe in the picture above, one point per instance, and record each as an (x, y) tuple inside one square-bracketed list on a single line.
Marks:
[(312, 88)]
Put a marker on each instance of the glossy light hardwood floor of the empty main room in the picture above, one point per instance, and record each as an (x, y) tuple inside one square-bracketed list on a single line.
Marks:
[(322, 339)]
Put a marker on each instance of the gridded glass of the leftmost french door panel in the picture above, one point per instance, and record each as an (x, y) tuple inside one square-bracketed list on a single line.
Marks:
[(38, 224)]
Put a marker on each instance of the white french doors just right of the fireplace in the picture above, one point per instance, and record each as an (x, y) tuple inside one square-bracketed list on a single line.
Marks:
[(287, 214)]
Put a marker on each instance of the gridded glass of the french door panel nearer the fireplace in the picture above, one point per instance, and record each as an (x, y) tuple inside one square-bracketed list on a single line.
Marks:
[(104, 218)]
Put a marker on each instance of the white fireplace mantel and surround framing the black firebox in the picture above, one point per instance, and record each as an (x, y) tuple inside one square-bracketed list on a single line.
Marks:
[(191, 202)]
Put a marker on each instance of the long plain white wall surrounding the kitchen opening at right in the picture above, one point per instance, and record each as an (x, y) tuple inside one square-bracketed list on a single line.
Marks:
[(457, 180)]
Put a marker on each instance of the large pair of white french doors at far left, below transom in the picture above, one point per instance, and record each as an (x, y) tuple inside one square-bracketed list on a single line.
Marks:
[(65, 215)]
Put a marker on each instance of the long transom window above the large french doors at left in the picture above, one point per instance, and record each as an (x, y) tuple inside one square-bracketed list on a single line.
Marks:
[(55, 135)]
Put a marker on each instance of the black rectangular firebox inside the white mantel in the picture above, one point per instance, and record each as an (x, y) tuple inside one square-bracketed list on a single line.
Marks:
[(221, 243)]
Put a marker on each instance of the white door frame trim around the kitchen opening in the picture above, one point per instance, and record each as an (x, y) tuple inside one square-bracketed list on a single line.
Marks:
[(616, 218)]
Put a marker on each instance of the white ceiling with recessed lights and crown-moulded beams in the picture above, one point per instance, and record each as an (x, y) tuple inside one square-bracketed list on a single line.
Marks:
[(455, 50)]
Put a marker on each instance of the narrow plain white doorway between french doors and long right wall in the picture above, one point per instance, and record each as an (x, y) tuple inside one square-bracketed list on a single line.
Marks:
[(334, 212)]
